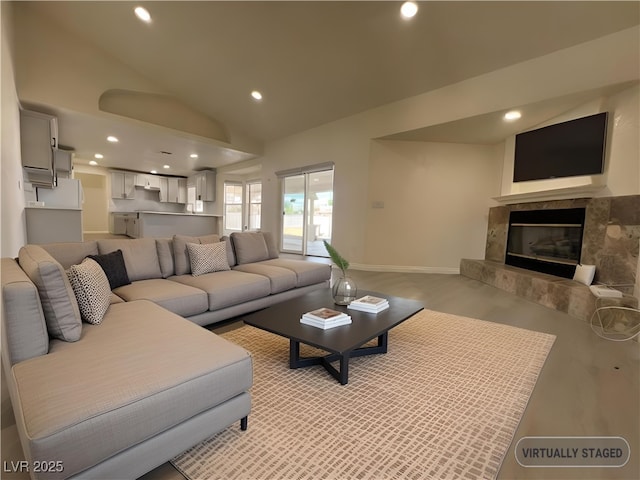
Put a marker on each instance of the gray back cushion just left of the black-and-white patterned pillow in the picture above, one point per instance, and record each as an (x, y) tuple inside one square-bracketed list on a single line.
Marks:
[(59, 304)]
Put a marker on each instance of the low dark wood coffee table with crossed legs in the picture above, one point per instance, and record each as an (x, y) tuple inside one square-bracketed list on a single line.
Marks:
[(343, 342)]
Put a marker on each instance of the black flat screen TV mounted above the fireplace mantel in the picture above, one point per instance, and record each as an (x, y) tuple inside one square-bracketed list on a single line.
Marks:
[(566, 149)]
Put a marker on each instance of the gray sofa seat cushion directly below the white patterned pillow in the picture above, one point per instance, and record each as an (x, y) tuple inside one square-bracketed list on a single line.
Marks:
[(225, 289)]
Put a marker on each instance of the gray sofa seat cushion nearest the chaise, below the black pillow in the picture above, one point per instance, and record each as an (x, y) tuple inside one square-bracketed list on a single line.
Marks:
[(180, 299)]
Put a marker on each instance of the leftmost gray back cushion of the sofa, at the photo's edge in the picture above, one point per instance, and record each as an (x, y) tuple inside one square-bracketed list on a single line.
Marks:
[(24, 331)]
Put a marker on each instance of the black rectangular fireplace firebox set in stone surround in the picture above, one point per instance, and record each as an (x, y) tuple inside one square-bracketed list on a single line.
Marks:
[(547, 241)]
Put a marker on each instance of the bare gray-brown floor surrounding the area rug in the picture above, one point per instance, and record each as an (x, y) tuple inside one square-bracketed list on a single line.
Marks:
[(588, 387)]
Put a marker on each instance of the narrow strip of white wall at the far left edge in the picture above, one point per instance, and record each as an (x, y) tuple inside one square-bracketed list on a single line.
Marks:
[(12, 230)]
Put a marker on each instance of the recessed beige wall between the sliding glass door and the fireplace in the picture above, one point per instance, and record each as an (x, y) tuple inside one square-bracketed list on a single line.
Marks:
[(436, 202)]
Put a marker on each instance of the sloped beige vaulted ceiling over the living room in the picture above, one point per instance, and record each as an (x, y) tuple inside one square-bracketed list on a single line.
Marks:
[(315, 62)]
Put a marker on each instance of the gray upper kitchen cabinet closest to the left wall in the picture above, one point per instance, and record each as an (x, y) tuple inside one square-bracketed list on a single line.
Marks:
[(38, 142)]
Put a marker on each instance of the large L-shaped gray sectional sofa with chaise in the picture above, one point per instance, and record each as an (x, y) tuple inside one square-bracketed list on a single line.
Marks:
[(120, 396)]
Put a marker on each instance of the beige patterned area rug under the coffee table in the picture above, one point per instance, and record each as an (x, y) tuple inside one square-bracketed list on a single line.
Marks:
[(444, 402)]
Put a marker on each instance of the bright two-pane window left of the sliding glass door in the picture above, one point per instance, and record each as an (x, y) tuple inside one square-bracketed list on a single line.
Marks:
[(242, 206)]
